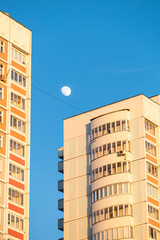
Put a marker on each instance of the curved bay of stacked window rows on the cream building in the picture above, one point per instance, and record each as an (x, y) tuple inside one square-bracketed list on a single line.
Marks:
[(112, 201)]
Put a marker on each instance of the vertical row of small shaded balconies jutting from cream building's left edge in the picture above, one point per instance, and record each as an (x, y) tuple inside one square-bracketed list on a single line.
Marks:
[(61, 188)]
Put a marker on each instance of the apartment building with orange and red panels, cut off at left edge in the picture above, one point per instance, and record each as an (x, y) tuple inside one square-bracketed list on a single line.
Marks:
[(15, 98)]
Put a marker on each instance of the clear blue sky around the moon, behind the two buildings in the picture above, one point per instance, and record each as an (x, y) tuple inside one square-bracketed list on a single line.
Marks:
[(105, 50)]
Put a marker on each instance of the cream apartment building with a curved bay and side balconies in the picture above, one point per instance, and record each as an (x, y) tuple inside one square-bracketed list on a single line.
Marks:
[(110, 161)]
